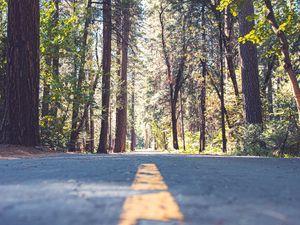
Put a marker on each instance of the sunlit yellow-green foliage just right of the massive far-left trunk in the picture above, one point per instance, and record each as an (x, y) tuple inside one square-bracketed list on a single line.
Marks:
[(61, 38)]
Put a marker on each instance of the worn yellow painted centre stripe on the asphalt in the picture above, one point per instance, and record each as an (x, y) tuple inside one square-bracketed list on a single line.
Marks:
[(158, 206)]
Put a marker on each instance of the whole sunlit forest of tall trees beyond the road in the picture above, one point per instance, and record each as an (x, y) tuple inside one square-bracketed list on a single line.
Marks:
[(190, 77)]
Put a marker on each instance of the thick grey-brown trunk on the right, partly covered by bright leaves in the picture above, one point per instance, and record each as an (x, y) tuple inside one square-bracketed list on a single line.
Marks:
[(249, 63)]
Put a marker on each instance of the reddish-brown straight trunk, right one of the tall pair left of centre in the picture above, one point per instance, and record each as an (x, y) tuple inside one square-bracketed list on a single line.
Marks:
[(121, 117)]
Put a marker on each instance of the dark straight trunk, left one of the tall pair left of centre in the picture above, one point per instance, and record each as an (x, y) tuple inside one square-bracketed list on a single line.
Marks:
[(106, 67)]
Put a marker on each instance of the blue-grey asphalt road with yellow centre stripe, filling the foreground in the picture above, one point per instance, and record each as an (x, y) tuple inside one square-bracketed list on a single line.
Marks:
[(148, 189)]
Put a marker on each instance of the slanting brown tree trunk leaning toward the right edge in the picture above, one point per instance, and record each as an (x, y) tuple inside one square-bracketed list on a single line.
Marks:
[(286, 54)]
